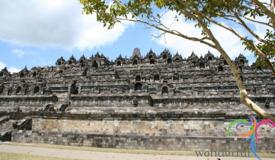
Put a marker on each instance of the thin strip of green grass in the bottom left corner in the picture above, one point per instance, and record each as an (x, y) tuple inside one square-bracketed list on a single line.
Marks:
[(16, 156)]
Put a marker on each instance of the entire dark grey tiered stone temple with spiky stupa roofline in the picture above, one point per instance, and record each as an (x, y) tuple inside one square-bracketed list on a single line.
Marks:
[(154, 101)]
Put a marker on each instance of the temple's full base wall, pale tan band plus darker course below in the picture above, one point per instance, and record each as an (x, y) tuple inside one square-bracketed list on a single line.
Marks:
[(186, 134)]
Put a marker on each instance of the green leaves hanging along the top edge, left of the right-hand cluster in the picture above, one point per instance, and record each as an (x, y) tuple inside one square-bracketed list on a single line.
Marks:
[(108, 12)]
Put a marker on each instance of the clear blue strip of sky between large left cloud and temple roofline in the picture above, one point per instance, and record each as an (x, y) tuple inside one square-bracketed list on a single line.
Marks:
[(19, 56)]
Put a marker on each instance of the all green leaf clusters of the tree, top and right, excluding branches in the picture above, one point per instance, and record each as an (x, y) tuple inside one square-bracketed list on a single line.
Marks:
[(109, 12)]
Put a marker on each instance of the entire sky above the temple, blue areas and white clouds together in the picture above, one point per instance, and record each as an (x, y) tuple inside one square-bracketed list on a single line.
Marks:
[(40, 31)]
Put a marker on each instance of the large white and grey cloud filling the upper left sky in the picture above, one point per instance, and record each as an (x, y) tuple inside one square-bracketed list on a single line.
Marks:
[(51, 23)]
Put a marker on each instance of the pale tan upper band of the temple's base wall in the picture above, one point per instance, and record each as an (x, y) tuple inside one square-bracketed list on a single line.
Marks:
[(133, 127)]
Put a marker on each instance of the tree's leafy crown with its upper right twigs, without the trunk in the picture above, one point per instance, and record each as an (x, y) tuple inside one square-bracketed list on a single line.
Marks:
[(111, 12)]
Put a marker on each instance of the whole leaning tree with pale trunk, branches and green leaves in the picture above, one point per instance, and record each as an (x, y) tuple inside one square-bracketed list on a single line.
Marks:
[(204, 13)]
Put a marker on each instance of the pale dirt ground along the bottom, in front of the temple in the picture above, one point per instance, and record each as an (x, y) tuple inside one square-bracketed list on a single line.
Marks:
[(67, 153)]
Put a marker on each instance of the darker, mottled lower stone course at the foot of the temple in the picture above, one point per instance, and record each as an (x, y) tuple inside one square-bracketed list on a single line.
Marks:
[(140, 142)]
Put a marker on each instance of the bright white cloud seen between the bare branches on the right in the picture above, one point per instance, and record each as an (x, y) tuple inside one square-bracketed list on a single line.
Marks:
[(185, 47)]
